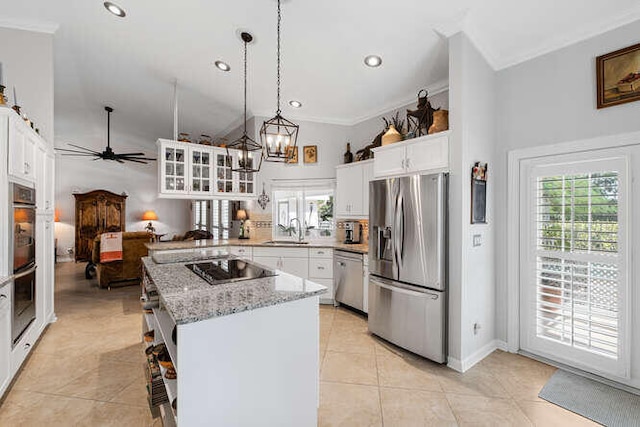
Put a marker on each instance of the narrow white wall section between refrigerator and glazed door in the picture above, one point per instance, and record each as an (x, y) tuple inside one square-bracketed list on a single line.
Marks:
[(472, 277)]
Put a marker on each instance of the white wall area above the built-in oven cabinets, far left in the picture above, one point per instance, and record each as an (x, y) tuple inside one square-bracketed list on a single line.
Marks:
[(27, 59)]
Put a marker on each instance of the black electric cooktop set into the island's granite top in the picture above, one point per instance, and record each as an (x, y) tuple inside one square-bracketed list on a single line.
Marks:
[(226, 270)]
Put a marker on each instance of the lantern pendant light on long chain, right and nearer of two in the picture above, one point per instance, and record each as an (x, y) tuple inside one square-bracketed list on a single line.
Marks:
[(279, 135)]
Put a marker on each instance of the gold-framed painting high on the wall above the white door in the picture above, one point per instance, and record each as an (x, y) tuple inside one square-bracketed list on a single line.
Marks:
[(618, 77)]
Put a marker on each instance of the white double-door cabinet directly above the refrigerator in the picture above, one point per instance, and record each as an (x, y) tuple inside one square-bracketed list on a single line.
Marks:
[(424, 154)]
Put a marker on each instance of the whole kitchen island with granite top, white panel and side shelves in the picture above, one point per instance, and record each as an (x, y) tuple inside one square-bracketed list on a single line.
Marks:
[(246, 352)]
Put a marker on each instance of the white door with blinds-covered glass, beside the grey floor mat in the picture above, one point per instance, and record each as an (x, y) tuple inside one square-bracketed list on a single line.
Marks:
[(574, 293)]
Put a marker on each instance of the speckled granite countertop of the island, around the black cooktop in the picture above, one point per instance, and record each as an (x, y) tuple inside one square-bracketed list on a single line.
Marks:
[(189, 299)]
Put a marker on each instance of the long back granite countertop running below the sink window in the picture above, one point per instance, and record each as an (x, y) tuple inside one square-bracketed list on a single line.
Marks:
[(361, 248)]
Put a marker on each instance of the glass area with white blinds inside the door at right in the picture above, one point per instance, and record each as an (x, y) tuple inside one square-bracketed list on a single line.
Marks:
[(578, 261)]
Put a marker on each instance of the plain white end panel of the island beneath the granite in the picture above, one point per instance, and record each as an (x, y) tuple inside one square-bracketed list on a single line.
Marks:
[(259, 367)]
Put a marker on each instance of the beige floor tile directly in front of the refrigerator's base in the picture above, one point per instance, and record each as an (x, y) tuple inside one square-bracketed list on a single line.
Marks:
[(401, 372)]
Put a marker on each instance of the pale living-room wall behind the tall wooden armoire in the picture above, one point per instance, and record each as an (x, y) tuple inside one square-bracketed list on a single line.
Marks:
[(138, 181)]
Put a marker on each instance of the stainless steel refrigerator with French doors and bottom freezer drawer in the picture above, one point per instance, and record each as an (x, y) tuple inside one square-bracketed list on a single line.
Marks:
[(408, 263)]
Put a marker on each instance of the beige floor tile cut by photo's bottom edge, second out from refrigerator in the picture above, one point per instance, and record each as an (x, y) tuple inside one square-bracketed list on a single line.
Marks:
[(401, 407)]
